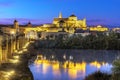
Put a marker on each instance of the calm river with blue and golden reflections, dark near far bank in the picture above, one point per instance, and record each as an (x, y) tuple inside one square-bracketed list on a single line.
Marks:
[(71, 64)]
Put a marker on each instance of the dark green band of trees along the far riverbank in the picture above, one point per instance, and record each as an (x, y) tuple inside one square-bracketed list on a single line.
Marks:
[(95, 42)]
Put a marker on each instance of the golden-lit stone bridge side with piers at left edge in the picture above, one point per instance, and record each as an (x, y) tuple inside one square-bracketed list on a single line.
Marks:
[(9, 44)]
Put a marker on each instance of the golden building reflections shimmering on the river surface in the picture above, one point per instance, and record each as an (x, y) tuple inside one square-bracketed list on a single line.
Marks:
[(73, 69)]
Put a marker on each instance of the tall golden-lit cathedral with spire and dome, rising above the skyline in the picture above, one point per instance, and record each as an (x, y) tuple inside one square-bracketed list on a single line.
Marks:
[(71, 21)]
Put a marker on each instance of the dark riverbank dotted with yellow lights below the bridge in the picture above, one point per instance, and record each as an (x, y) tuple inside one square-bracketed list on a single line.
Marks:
[(17, 67)]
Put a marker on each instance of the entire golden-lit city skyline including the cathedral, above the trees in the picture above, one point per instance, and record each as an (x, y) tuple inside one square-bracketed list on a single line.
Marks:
[(60, 25)]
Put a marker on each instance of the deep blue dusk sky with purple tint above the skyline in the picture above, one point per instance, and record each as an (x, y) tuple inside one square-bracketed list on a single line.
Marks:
[(104, 12)]
